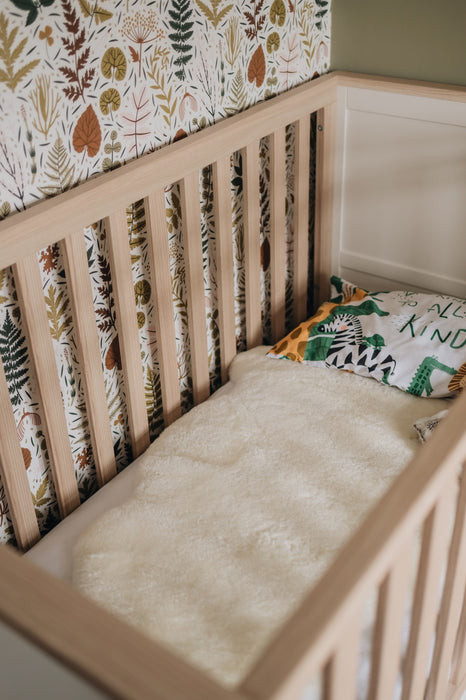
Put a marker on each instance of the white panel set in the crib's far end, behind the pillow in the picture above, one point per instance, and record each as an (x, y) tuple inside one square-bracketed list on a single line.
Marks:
[(402, 216)]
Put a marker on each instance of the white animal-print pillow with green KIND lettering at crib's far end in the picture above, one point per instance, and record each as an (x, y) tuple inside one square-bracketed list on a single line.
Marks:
[(414, 341)]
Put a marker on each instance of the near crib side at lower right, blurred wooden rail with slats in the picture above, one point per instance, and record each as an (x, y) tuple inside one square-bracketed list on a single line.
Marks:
[(323, 634)]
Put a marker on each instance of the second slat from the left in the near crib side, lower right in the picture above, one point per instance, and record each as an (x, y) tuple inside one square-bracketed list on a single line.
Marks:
[(387, 634)]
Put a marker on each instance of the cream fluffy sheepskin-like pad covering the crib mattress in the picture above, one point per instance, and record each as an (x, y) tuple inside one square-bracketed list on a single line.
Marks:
[(243, 503)]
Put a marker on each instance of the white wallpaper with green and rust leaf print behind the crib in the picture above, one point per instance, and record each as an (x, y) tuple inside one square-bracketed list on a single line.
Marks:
[(85, 86)]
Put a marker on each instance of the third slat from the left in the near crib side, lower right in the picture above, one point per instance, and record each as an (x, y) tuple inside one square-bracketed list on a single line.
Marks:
[(425, 605)]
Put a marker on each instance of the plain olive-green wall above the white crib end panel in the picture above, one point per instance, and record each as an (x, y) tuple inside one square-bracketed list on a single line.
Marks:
[(418, 39)]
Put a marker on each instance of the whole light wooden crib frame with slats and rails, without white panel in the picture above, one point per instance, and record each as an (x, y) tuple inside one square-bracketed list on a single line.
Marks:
[(322, 636)]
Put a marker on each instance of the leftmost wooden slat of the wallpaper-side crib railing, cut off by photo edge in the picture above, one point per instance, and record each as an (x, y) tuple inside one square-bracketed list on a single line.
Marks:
[(13, 473)]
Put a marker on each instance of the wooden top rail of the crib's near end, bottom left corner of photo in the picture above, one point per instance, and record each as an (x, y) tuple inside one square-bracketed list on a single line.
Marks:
[(107, 652)]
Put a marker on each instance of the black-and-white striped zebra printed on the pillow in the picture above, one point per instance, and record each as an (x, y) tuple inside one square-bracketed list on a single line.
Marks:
[(339, 342)]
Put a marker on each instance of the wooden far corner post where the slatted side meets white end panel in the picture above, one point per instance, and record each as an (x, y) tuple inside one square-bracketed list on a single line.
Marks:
[(325, 156)]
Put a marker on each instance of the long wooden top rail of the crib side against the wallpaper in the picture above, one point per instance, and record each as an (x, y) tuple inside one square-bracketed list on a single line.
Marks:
[(49, 221)]
